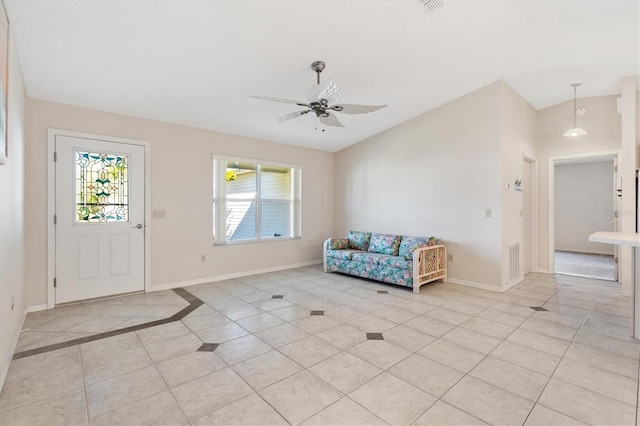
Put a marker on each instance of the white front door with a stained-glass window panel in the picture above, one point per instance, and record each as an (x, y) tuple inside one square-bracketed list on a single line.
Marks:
[(100, 215)]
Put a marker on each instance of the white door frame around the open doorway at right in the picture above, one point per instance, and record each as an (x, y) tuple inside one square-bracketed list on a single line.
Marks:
[(551, 185)]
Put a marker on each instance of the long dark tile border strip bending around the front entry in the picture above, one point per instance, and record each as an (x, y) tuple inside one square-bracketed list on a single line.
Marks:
[(194, 303)]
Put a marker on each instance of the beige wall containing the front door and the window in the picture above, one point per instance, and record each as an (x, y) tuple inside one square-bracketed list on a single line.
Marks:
[(181, 183)]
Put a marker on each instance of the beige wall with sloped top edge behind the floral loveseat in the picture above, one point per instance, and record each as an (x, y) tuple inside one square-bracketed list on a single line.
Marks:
[(433, 175)]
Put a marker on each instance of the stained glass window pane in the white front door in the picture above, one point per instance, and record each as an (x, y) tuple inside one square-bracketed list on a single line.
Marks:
[(102, 187)]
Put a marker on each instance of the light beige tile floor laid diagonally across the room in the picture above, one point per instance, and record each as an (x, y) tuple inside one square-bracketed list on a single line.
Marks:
[(450, 355)]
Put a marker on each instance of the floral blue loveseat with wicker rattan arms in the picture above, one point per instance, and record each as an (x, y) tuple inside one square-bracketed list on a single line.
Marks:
[(396, 259)]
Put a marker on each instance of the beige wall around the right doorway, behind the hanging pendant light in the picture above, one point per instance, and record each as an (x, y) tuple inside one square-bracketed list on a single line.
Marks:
[(602, 123)]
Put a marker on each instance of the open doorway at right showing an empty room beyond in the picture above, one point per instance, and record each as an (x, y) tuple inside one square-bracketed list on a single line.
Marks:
[(584, 199)]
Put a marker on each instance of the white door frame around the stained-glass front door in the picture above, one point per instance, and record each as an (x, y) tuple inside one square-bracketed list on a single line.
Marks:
[(51, 204)]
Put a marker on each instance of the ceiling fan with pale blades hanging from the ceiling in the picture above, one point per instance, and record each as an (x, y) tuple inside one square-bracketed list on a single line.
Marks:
[(323, 103)]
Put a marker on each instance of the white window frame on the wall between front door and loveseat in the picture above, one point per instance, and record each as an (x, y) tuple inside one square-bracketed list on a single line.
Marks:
[(220, 199)]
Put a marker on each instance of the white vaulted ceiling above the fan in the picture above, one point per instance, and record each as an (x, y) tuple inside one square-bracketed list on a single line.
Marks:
[(196, 62)]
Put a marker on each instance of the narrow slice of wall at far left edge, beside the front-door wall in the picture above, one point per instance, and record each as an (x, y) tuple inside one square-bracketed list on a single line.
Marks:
[(12, 219)]
